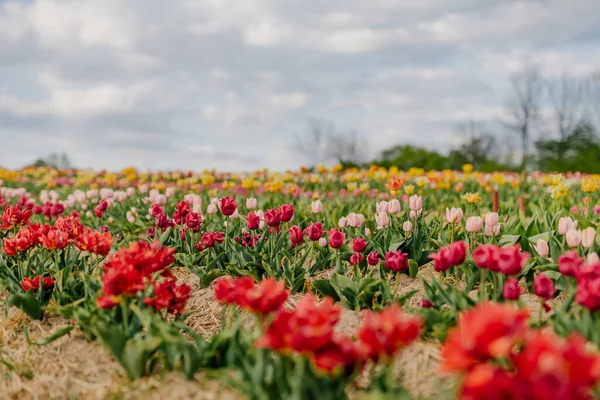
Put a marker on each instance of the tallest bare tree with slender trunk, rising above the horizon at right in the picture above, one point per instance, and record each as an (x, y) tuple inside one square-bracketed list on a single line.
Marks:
[(523, 106)]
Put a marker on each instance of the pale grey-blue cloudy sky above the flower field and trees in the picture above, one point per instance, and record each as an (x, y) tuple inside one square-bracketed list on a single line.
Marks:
[(227, 84)]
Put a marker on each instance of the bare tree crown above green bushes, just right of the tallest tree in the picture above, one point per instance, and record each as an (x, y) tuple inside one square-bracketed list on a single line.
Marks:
[(567, 98)]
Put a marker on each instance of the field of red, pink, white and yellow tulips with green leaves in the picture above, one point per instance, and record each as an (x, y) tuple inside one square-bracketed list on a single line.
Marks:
[(321, 283)]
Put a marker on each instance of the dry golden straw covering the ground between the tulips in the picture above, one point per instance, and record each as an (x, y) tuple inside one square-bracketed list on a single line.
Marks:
[(72, 367)]
